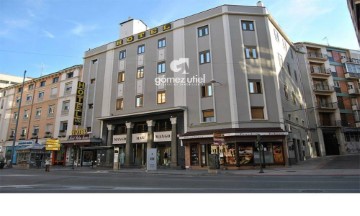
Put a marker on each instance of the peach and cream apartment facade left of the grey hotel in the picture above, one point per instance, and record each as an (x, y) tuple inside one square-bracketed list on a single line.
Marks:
[(47, 110)]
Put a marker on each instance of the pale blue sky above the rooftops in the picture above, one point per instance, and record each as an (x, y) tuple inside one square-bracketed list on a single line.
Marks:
[(54, 34)]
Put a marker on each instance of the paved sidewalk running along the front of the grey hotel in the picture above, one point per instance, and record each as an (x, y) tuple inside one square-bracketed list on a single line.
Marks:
[(314, 166)]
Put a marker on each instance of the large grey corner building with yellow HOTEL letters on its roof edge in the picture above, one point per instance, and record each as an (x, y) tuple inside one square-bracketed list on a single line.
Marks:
[(207, 83)]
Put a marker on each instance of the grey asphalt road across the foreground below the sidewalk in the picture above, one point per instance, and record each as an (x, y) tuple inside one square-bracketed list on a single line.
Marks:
[(102, 181)]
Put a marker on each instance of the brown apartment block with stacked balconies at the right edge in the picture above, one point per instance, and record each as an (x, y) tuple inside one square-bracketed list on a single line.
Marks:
[(333, 93)]
